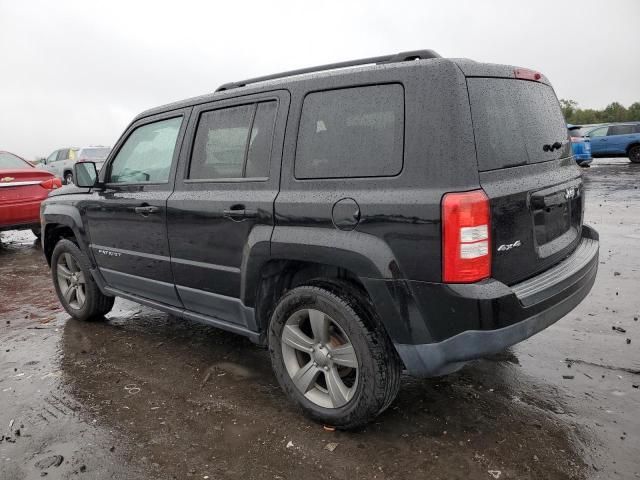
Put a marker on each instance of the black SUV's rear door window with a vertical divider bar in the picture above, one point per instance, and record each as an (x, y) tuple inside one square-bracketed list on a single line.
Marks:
[(233, 142)]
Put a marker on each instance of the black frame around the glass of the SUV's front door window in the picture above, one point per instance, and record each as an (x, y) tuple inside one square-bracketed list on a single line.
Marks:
[(181, 113)]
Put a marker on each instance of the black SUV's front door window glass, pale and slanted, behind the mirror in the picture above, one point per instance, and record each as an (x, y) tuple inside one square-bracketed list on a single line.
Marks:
[(147, 154)]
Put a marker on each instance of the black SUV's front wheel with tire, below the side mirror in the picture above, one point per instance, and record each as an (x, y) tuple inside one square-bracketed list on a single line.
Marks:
[(76, 289)]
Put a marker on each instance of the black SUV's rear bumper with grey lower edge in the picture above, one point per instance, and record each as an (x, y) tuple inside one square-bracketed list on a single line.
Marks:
[(443, 326)]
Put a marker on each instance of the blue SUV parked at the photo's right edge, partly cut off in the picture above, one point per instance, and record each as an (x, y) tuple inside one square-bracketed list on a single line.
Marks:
[(616, 140)]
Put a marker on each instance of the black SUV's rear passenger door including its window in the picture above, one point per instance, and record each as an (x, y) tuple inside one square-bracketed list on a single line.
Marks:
[(221, 211)]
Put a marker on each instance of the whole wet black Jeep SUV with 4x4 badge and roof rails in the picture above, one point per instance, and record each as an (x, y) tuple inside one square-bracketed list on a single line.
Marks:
[(405, 212)]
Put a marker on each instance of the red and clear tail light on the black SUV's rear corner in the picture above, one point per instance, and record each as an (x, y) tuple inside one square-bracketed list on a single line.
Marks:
[(466, 224)]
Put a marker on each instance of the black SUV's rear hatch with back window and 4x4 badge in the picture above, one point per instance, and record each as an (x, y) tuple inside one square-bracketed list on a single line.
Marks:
[(526, 169)]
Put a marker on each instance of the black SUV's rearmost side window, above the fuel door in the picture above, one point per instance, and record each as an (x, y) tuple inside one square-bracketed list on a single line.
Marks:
[(352, 132)]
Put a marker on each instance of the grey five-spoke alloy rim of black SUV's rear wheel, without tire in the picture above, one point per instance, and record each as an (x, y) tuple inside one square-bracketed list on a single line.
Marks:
[(319, 358)]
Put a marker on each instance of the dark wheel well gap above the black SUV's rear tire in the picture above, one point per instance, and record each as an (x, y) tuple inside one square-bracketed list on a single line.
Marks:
[(279, 276)]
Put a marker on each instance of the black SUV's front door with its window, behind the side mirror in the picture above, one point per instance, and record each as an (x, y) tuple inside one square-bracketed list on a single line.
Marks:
[(127, 220)]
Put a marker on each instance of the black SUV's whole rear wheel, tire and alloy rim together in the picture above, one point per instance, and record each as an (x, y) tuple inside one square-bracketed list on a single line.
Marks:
[(331, 356)]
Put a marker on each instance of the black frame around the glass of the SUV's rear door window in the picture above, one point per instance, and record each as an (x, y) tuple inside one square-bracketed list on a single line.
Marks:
[(240, 102)]
